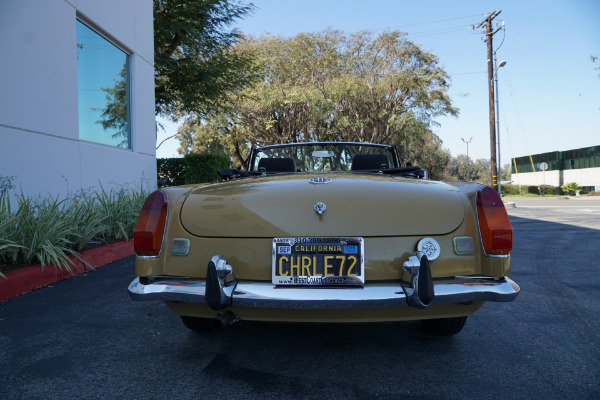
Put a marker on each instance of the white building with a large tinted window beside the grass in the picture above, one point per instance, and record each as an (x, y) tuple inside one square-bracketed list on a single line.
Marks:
[(76, 94)]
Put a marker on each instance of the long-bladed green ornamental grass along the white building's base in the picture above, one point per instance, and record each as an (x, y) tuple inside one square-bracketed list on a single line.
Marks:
[(49, 230)]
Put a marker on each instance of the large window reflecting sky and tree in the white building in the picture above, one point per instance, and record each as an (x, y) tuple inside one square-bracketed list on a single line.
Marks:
[(103, 89)]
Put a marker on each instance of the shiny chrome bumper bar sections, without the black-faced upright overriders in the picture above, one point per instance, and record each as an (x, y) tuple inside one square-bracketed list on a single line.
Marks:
[(371, 295)]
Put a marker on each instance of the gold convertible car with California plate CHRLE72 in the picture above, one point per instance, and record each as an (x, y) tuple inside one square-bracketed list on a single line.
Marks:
[(324, 232)]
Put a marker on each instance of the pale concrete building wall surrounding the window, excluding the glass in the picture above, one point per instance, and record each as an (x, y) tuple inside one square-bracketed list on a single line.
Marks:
[(39, 138)]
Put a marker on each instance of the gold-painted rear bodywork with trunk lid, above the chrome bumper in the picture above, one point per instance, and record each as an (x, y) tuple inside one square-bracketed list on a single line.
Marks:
[(251, 255)]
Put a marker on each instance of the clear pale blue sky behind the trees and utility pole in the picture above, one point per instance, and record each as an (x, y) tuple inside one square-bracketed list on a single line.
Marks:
[(549, 91)]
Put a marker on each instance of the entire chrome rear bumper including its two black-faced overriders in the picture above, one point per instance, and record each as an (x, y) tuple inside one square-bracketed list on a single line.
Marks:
[(219, 292)]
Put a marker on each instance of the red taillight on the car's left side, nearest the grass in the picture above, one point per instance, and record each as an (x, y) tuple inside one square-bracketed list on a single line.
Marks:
[(149, 230)]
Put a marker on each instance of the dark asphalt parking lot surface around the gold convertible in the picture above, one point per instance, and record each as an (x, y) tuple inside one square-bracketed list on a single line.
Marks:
[(85, 338)]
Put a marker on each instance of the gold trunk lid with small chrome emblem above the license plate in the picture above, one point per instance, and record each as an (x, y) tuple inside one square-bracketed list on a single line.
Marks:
[(356, 205)]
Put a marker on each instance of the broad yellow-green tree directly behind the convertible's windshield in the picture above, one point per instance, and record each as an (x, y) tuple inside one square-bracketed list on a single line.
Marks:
[(335, 86)]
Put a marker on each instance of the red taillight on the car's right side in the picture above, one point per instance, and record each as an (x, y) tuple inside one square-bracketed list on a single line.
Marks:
[(494, 225)]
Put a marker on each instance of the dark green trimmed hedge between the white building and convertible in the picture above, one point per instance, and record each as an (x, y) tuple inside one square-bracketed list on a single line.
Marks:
[(191, 169)]
